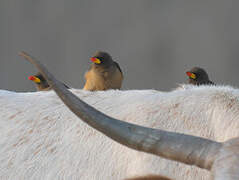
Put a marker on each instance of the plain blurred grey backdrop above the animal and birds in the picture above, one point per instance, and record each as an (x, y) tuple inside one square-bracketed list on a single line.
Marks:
[(154, 41)]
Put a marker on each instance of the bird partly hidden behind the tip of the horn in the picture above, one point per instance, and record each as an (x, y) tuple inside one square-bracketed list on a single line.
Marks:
[(41, 83)]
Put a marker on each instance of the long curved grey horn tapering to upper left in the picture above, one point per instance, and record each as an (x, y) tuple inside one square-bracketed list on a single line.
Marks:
[(175, 146)]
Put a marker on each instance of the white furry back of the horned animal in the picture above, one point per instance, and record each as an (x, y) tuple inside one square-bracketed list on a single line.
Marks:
[(40, 139)]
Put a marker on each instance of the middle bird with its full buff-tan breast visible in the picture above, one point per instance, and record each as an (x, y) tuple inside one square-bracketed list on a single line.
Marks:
[(103, 74)]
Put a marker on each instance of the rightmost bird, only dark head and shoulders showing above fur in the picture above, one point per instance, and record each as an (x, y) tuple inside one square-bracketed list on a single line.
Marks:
[(198, 76)]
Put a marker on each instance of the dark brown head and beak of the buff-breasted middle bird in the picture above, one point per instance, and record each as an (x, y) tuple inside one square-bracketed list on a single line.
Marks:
[(101, 58)]
